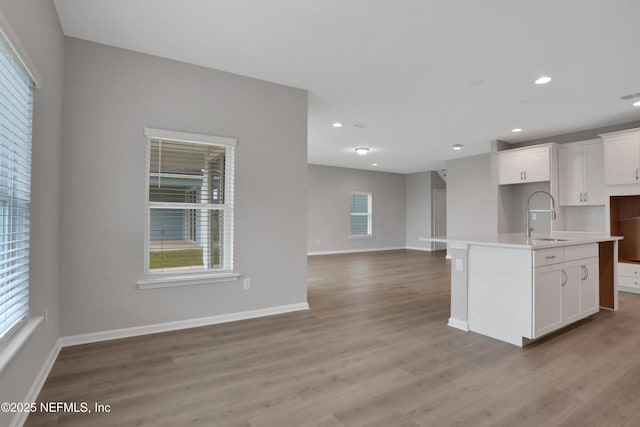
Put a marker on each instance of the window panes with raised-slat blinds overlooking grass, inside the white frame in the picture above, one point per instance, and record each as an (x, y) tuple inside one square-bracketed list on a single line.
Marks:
[(189, 206)]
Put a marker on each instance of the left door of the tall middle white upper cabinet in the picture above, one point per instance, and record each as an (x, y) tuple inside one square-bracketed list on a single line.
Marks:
[(571, 176)]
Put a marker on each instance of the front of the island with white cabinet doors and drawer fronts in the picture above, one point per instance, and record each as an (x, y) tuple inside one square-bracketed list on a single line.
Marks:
[(565, 286)]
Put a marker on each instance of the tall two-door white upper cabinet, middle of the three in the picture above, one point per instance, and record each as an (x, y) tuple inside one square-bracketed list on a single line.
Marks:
[(581, 174)]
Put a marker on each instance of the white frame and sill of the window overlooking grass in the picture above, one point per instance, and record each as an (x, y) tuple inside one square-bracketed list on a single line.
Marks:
[(160, 279)]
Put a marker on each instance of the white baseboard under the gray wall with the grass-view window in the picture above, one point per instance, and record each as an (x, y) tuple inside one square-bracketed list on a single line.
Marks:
[(180, 324)]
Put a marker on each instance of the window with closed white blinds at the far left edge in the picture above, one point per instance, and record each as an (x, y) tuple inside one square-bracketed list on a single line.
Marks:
[(16, 107)]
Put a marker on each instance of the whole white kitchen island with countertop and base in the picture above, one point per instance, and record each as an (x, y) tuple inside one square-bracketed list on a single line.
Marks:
[(517, 290)]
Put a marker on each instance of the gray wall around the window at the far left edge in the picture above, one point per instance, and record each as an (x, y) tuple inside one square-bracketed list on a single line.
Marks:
[(35, 23)]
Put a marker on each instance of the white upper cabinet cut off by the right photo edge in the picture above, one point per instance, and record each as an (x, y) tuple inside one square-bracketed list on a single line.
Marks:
[(622, 157)]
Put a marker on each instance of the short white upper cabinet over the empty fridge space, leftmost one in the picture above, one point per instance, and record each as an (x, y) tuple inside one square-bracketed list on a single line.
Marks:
[(522, 165)]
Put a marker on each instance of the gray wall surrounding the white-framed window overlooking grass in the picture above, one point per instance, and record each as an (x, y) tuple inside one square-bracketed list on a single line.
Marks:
[(111, 95)]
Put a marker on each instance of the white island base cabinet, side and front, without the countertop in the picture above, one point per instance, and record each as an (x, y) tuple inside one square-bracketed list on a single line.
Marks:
[(518, 294)]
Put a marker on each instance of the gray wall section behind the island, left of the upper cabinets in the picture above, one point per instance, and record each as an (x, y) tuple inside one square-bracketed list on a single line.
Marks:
[(471, 196)]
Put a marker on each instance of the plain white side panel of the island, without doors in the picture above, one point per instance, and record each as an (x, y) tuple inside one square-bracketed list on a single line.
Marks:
[(500, 292)]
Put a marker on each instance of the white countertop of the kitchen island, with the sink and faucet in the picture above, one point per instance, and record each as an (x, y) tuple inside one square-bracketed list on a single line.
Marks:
[(518, 240)]
